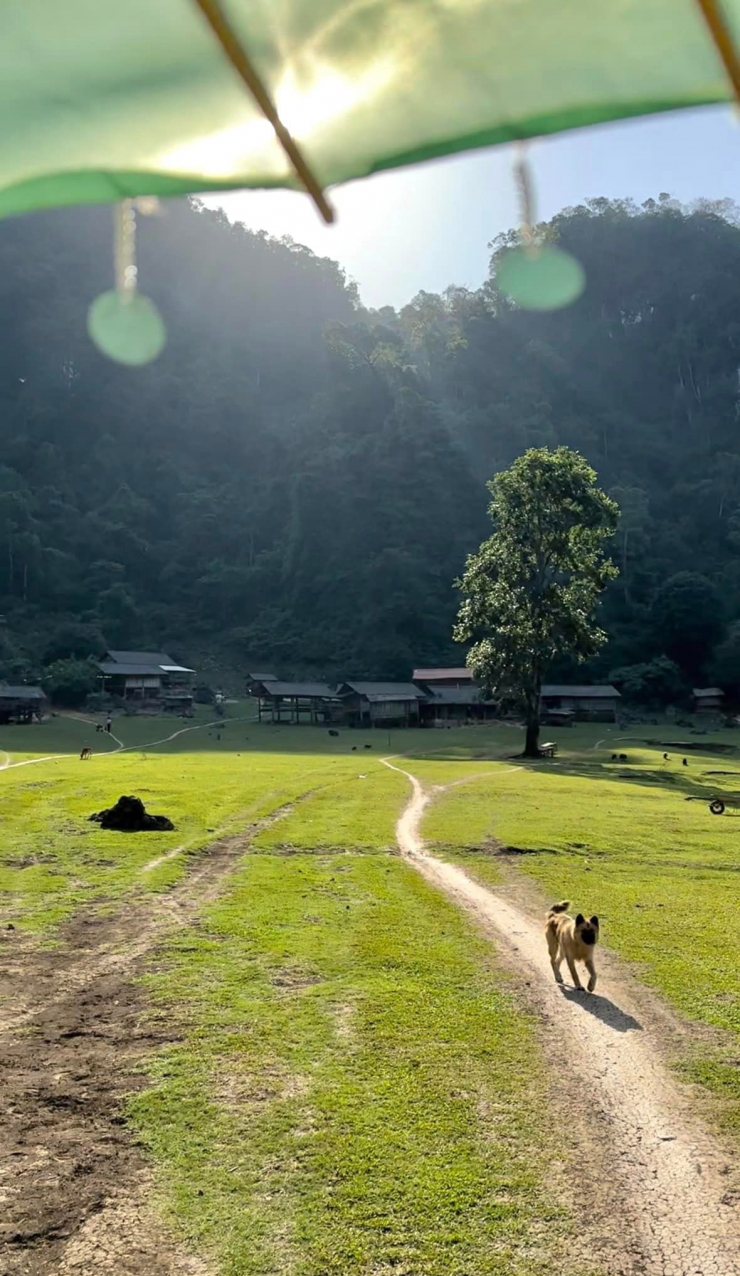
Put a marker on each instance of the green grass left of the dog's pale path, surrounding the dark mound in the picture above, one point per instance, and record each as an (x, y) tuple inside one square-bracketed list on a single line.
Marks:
[(355, 1089)]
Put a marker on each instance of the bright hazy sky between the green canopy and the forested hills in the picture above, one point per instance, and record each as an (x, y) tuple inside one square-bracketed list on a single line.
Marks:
[(429, 226)]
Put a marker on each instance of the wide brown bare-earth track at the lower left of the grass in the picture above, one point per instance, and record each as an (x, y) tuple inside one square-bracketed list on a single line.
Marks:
[(75, 1189)]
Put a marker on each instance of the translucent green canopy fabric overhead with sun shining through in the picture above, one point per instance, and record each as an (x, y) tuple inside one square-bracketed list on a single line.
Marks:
[(103, 101)]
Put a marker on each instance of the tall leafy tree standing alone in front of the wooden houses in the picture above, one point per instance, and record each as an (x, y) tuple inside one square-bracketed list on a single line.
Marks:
[(533, 589)]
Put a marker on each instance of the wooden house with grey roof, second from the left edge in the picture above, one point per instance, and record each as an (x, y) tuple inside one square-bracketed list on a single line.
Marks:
[(147, 679)]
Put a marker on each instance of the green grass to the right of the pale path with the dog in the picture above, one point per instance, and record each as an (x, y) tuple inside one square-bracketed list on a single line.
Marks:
[(622, 840)]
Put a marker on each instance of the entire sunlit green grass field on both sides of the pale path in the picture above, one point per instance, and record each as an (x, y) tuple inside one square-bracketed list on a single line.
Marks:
[(355, 1089)]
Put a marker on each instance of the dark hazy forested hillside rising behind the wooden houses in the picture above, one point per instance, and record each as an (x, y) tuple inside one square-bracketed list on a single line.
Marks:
[(297, 482)]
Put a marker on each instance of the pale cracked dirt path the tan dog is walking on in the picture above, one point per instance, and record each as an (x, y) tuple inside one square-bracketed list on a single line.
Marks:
[(662, 1198)]
